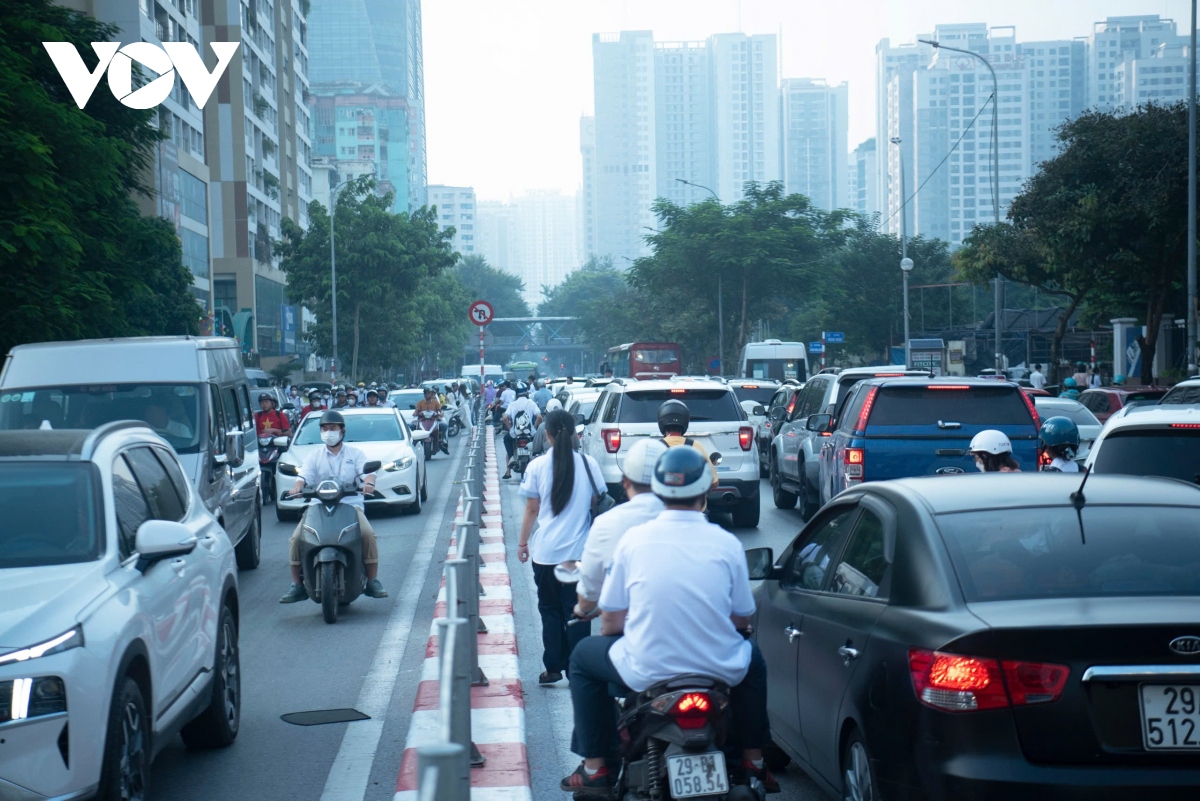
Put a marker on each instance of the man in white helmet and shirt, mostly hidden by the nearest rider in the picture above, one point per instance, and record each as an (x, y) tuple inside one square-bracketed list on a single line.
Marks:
[(608, 529)]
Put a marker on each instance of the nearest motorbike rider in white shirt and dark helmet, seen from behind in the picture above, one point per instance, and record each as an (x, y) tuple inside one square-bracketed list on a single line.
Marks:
[(674, 603)]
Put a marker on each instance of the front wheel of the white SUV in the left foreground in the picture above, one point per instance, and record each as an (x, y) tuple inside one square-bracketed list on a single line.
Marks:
[(127, 766)]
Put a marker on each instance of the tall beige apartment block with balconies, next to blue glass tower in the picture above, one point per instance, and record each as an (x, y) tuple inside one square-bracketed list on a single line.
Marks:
[(259, 152)]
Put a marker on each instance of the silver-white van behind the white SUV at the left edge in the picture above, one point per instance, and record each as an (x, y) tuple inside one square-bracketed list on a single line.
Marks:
[(193, 392)]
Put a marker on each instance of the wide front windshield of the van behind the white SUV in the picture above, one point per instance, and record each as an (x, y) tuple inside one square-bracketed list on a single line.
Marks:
[(172, 411)]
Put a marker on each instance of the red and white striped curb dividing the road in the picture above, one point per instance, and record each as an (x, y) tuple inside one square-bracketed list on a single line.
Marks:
[(497, 712)]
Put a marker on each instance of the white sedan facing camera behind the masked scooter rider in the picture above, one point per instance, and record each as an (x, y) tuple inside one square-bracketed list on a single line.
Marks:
[(380, 433)]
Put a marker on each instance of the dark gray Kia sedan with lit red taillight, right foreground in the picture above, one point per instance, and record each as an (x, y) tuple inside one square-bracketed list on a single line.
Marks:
[(991, 637)]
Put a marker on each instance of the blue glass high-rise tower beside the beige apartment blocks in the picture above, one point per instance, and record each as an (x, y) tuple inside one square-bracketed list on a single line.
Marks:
[(369, 92)]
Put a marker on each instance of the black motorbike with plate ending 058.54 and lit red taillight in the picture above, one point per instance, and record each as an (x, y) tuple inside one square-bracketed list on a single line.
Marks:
[(673, 738)]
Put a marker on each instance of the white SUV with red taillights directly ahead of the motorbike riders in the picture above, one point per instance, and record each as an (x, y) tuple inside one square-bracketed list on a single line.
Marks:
[(629, 409)]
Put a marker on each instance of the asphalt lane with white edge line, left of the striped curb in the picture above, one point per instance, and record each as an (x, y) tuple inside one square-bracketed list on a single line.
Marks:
[(292, 661)]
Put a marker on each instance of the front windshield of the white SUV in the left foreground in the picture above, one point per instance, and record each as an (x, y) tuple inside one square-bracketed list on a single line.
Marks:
[(50, 513)]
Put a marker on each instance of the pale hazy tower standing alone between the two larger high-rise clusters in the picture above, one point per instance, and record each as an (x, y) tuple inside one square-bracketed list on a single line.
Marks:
[(815, 119)]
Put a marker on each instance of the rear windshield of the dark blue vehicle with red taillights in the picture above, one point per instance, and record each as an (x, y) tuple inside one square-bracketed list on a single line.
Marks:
[(977, 406)]
